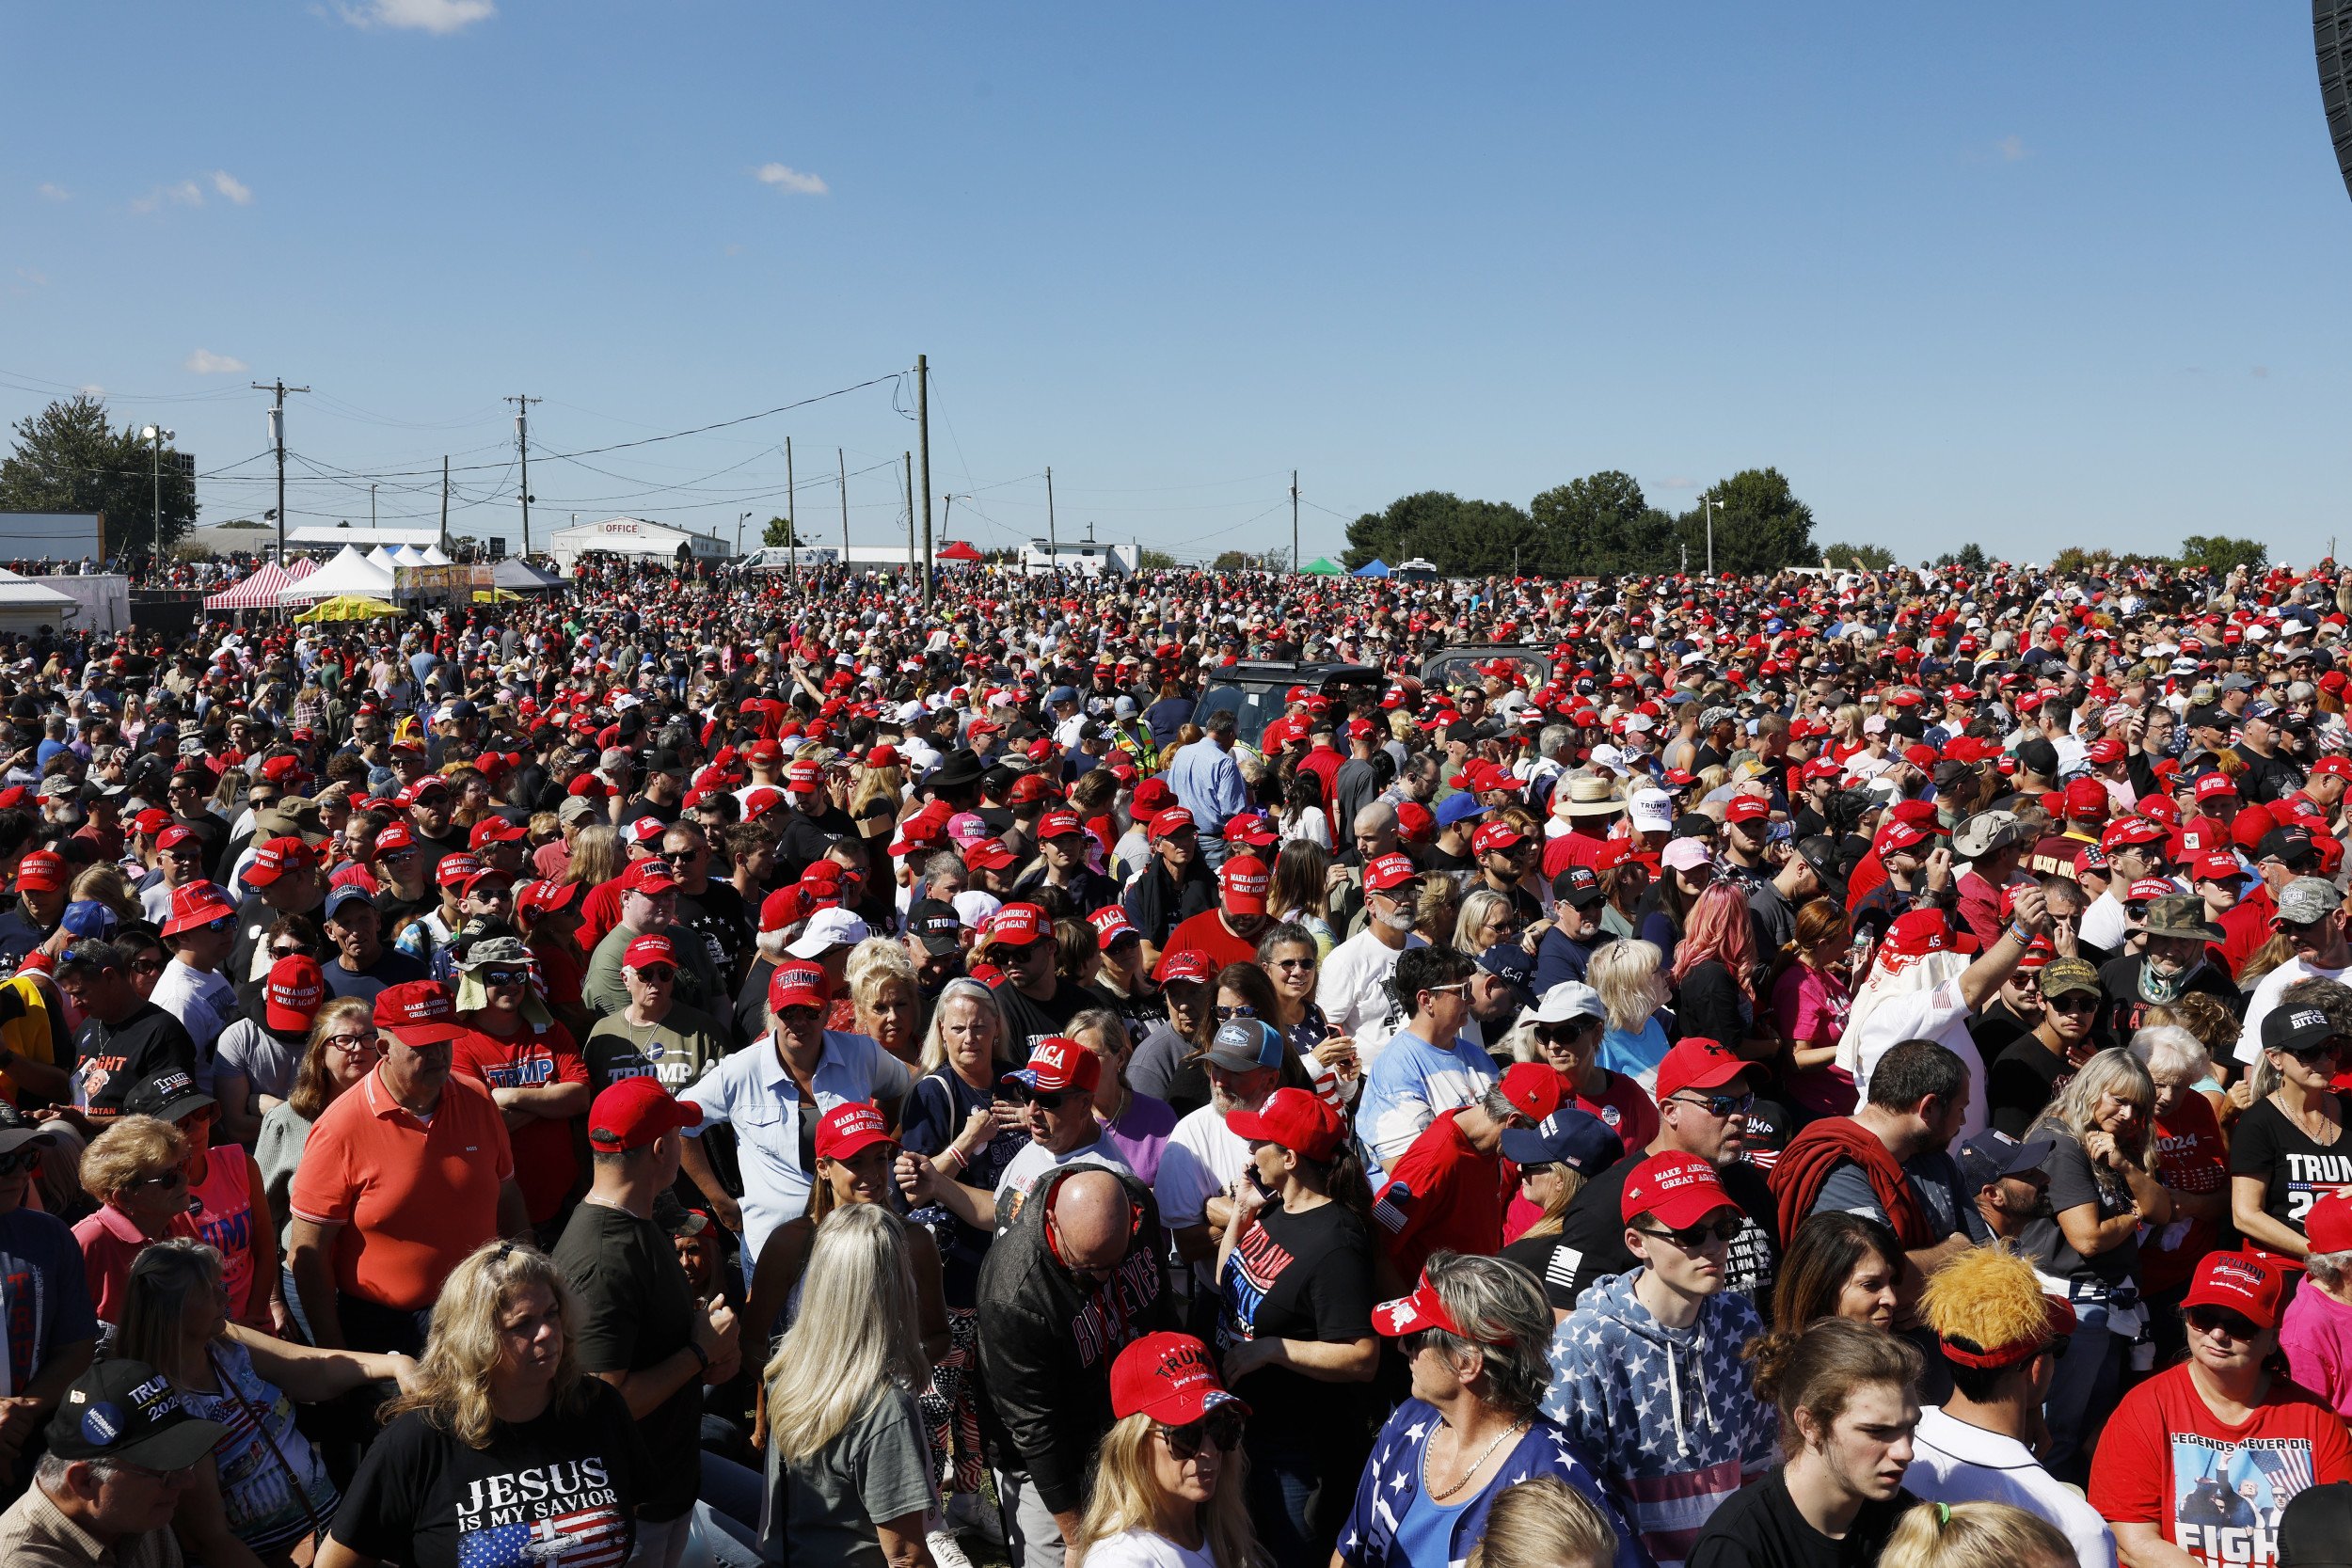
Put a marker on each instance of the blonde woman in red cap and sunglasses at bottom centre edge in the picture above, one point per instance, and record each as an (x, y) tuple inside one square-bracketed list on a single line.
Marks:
[(1168, 1482)]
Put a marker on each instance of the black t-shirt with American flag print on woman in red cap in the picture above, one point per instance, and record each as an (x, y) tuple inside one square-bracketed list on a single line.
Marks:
[(1297, 1278)]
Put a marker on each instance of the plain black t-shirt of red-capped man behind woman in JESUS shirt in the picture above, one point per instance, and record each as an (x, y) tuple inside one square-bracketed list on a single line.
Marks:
[(639, 1313)]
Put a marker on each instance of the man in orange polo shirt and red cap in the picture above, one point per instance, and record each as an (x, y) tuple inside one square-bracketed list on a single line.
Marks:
[(403, 1177)]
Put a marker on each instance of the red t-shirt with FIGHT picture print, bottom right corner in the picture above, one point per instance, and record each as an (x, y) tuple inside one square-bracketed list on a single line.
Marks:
[(2214, 1492)]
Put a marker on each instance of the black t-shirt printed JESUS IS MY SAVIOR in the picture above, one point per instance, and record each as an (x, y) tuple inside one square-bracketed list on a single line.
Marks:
[(561, 1482)]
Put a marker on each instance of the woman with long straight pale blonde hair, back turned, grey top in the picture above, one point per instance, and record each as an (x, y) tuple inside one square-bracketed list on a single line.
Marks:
[(846, 1454)]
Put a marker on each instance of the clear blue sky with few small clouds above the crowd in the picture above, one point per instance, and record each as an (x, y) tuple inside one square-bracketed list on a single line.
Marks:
[(2014, 274)]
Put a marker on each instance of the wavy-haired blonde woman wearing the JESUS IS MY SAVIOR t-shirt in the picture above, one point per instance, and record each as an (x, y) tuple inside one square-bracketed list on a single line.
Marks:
[(500, 1393)]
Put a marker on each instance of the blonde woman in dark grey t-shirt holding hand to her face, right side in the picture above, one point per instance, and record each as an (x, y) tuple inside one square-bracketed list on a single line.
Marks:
[(2104, 1191)]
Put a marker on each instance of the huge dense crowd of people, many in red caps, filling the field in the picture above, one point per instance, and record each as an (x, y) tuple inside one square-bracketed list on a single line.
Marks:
[(1130, 1073)]
